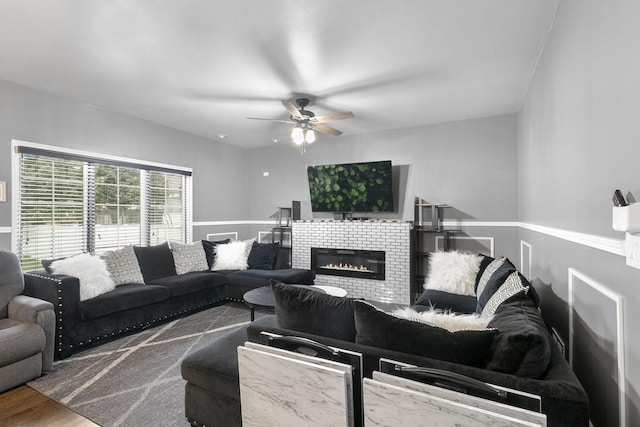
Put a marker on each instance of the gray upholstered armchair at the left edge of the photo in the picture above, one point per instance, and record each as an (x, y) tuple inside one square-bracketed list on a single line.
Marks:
[(27, 327)]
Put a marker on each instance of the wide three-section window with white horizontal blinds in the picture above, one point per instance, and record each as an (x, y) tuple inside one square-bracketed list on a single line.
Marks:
[(70, 202)]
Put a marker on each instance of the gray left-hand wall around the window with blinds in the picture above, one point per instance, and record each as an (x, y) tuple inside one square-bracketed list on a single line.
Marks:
[(220, 183)]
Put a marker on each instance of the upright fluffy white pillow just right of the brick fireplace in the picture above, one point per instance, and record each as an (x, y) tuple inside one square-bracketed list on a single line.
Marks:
[(453, 272)]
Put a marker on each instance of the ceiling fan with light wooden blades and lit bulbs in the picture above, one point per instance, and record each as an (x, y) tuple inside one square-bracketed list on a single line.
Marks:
[(305, 122)]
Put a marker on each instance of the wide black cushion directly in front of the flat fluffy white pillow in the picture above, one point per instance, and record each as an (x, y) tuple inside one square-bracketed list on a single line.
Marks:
[(380, 329)]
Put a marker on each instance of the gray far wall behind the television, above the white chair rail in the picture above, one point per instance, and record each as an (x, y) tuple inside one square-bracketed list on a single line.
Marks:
[(468, 164)]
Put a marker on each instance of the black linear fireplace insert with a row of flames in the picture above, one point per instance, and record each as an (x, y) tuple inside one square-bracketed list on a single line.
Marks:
[(348, 262)]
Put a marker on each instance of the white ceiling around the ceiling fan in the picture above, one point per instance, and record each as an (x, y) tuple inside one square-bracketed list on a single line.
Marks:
[(203, 66)]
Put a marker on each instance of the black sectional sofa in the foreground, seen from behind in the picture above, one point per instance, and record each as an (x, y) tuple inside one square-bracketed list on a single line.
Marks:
[(519, 355)]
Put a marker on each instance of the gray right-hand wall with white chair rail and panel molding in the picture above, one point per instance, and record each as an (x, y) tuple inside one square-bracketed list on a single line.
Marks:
[(578, 142)]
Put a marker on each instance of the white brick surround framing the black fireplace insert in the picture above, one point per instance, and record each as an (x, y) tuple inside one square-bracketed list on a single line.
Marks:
[(391, 236)]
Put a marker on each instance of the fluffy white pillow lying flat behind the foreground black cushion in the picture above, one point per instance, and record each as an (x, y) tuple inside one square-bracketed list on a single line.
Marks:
[(448, 320)]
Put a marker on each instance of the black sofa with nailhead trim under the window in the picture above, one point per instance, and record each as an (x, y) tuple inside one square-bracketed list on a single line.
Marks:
[(163, 296)]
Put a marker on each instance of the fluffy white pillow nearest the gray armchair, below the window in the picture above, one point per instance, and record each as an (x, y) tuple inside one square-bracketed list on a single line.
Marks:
[(90, 270)]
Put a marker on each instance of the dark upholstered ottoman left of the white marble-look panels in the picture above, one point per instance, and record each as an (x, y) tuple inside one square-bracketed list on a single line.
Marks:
[(212, 392)]
